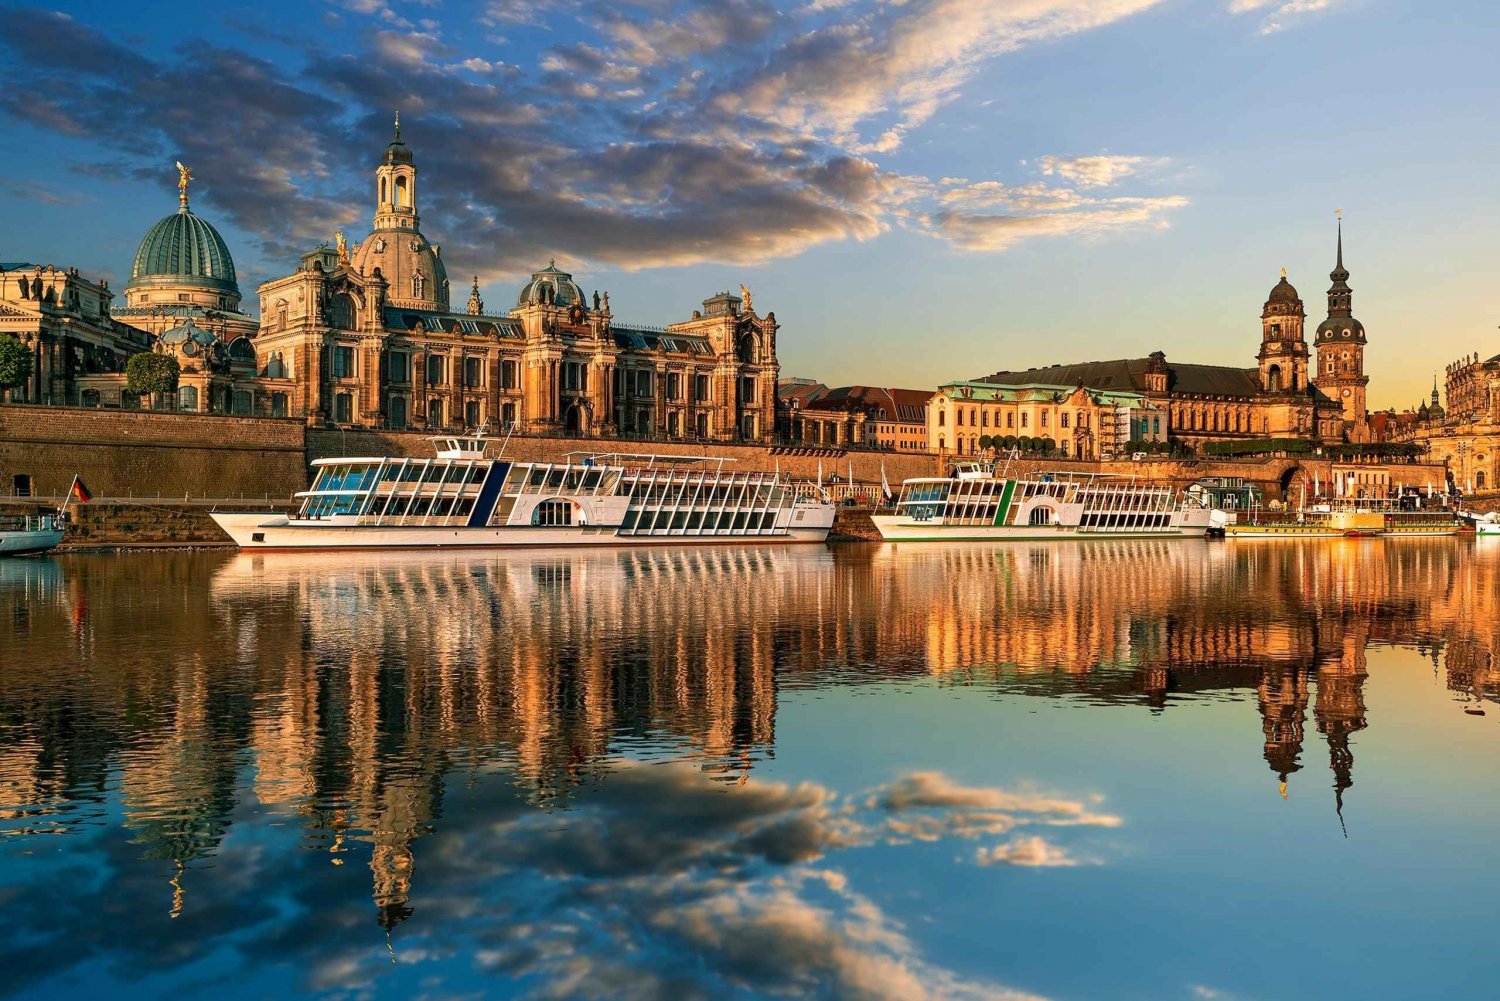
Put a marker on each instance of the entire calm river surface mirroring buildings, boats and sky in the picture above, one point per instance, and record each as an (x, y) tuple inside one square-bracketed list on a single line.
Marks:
[(1111, 771)]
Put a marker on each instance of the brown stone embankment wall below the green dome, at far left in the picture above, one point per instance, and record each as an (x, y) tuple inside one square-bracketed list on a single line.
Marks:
[(134, 454)]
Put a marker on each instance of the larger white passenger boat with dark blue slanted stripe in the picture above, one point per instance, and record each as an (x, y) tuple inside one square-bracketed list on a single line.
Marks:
[(464, 499)]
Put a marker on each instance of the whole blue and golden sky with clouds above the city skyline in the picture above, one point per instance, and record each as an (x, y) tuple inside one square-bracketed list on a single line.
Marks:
[(922, 191)]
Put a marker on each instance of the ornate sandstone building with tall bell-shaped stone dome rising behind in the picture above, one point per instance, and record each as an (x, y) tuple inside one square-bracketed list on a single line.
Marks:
[(368, 337)]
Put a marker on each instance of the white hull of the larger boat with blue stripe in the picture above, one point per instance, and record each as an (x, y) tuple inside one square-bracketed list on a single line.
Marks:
[(265, 532)]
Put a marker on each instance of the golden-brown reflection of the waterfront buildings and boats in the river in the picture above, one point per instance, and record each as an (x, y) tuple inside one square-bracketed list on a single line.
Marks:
[(352, 691)]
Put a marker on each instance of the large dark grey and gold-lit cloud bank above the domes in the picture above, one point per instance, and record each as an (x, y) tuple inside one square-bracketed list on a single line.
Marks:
[(670, 133)]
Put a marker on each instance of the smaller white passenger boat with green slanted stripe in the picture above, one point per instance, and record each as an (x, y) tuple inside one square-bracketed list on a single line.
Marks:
[(982, 505)]
